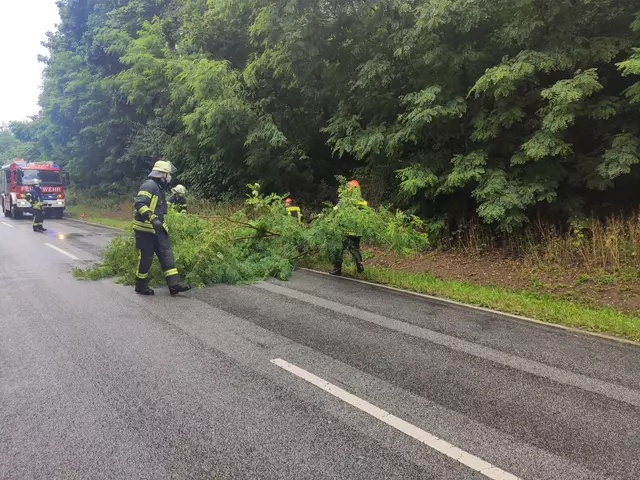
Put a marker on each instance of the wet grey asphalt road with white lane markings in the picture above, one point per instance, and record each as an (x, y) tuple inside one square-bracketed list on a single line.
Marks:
[(314, 378)]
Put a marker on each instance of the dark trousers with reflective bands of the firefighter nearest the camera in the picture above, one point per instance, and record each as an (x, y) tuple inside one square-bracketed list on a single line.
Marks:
[(159, 244)]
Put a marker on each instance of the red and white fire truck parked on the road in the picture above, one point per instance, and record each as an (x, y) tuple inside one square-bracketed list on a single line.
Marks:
[(17, 178)]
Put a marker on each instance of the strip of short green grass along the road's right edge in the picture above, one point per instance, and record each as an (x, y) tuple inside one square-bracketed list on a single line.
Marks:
[(540, 306)]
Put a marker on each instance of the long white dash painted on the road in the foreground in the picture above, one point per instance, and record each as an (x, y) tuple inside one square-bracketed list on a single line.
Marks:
[(442, 446)]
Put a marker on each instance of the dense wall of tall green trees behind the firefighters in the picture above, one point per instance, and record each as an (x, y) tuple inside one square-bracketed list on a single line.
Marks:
[(501, 109)]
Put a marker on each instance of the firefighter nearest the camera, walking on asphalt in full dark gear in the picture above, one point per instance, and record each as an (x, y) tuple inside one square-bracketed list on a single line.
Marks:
[(151, 231)]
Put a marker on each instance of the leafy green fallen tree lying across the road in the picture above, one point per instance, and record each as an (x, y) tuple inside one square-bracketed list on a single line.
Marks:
[(261, 240)]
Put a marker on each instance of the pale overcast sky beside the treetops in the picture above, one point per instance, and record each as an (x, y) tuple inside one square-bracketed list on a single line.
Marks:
[(23, 24)]
